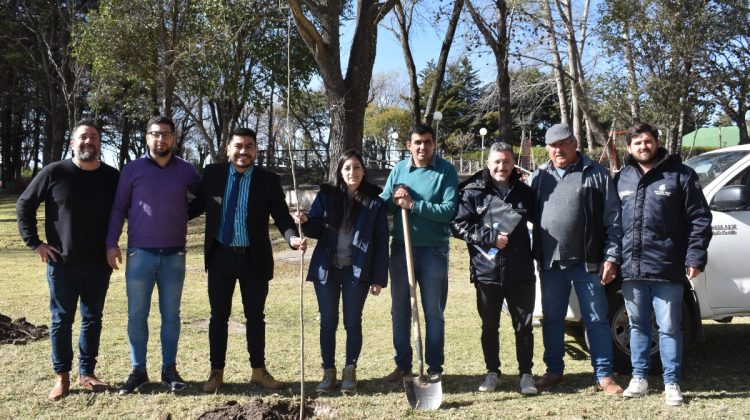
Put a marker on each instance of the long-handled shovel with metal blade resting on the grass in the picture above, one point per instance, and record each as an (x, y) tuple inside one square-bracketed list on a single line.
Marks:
[(422, 393)]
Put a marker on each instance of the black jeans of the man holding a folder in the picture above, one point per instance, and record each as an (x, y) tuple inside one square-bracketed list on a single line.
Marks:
[(520, 299)]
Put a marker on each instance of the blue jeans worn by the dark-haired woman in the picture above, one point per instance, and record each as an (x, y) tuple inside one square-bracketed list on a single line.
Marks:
[(341, 283)]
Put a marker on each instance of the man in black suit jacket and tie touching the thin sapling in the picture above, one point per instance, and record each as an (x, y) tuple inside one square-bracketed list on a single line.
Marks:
[(238, 198)]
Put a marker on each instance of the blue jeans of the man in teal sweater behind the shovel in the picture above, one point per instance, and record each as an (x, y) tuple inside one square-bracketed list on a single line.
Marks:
[(431, 272)]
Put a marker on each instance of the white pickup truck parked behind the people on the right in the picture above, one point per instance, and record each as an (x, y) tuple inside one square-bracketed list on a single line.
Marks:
[(722, 291)]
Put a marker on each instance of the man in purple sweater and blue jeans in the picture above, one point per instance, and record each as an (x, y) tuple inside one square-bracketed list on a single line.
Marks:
[(153, 194)]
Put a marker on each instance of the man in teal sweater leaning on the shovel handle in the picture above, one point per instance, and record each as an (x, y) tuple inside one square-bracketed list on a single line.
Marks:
[(427, 187)]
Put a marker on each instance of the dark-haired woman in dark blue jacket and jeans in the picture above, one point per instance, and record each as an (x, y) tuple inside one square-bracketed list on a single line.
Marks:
[(351, 258)]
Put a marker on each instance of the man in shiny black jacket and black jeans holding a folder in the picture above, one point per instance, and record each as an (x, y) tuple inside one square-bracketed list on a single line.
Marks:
[(493, 210)]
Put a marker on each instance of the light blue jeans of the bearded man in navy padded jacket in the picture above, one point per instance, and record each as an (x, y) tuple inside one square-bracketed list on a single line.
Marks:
[(666, 300)]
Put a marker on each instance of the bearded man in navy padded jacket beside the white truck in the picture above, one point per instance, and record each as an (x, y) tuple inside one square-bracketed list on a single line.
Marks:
[(667, 227)]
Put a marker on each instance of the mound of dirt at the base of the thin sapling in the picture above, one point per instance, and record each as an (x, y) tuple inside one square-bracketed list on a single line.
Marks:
[(258, 410)]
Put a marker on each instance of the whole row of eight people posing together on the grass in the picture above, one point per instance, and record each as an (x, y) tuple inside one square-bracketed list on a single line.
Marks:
[(578, 213)]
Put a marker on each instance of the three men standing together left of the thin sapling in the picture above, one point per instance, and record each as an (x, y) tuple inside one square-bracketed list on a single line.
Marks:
[(86, 204)]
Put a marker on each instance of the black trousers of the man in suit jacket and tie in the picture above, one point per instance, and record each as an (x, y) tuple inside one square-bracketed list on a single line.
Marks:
[(225, 269)]
